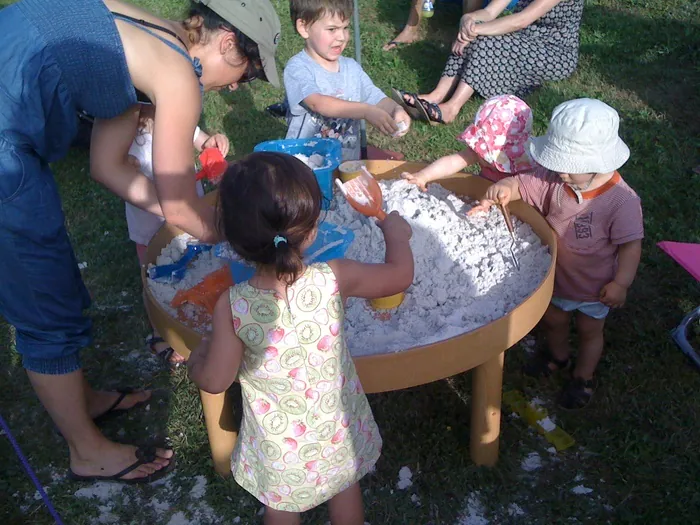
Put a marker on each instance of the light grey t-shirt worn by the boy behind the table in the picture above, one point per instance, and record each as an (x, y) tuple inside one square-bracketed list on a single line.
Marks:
[(304, 77)]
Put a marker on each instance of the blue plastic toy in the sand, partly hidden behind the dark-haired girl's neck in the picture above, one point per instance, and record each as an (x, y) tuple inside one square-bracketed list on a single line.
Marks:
[(331, 243)]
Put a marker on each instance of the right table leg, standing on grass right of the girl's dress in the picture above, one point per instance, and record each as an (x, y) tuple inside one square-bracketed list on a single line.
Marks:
[(487, 384)]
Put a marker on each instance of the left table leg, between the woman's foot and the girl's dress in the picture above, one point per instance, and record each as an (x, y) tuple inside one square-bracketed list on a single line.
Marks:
[(221, 429)]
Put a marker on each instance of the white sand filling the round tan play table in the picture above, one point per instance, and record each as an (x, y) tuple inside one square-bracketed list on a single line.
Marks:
[(464, 277)]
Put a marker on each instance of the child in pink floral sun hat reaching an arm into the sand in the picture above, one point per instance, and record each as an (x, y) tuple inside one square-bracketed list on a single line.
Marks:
[(497, 142)]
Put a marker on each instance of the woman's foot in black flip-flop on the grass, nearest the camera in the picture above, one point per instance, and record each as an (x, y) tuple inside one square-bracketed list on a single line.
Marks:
[(110, 458)]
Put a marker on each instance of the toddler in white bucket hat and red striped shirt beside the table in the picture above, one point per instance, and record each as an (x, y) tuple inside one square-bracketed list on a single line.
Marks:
[(598, 221)]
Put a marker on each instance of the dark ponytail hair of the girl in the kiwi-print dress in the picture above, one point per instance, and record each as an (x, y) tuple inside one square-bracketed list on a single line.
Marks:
[(263, 196)]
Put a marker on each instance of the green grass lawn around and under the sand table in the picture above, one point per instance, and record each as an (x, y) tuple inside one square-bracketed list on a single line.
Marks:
[(637, 445)]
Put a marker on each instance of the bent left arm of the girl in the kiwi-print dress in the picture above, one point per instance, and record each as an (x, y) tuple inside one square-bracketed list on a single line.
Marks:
[(213, 365)]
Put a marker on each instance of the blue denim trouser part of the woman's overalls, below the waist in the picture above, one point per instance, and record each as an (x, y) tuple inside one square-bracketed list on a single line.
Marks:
[(41, 290)]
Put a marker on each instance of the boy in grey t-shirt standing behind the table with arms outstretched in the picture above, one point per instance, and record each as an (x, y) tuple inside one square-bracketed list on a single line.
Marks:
[(328, 93)]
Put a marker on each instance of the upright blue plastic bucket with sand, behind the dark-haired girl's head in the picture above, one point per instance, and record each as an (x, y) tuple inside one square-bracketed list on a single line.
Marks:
[(328, 148)]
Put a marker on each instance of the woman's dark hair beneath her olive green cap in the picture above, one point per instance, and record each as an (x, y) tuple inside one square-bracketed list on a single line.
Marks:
[(211, 22)]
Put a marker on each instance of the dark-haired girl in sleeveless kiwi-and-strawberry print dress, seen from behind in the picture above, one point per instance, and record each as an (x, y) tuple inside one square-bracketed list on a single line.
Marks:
[(308, 434)]
